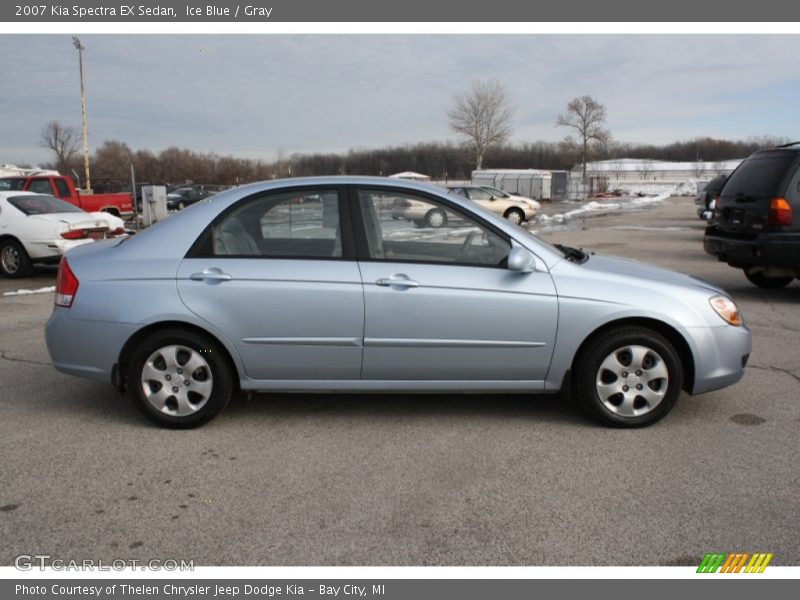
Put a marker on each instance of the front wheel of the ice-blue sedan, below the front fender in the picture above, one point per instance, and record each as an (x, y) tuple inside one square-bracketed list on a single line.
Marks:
[(589, 375)]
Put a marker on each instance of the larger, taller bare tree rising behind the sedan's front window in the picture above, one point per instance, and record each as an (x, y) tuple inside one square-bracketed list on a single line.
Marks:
[(482, 114)]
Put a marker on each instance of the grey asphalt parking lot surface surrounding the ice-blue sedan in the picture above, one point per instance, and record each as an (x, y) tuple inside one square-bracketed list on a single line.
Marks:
[(412, 479)]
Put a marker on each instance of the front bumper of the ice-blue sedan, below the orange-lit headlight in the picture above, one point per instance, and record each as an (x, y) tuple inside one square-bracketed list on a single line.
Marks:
[(721, 355)]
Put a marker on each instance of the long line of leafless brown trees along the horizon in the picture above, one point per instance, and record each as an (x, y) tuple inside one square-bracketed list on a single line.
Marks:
[(111, 161)]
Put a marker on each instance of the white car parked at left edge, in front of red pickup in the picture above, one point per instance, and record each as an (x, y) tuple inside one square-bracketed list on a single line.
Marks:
[(36, 228)]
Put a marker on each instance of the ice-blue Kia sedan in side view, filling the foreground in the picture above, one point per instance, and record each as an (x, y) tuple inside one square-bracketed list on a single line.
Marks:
[(310, 284)]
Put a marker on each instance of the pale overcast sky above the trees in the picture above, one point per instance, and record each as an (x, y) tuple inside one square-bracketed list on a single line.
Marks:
[(257, 95)]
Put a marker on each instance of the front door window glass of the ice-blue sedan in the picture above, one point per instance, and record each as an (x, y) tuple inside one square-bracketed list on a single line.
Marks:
[(408, 228)]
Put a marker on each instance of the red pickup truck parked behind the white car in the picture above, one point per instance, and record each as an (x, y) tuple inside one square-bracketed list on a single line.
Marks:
[(62, 187)]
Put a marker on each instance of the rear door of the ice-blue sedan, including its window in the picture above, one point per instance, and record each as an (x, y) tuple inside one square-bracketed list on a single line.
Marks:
[(277, 275)]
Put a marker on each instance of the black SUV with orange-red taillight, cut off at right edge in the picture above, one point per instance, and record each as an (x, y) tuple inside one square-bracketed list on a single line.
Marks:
[(754, 229)]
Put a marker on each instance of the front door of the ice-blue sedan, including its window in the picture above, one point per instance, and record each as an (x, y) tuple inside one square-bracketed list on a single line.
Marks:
[(440, 303)]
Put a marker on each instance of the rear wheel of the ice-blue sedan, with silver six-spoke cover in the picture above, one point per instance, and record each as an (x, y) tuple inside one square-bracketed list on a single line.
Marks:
[(179, 379)]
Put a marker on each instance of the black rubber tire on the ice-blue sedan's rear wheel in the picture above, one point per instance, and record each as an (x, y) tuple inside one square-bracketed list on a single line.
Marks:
[(219, 376)]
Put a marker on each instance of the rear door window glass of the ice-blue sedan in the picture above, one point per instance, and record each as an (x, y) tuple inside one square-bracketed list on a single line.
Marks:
[(295, 224)]
